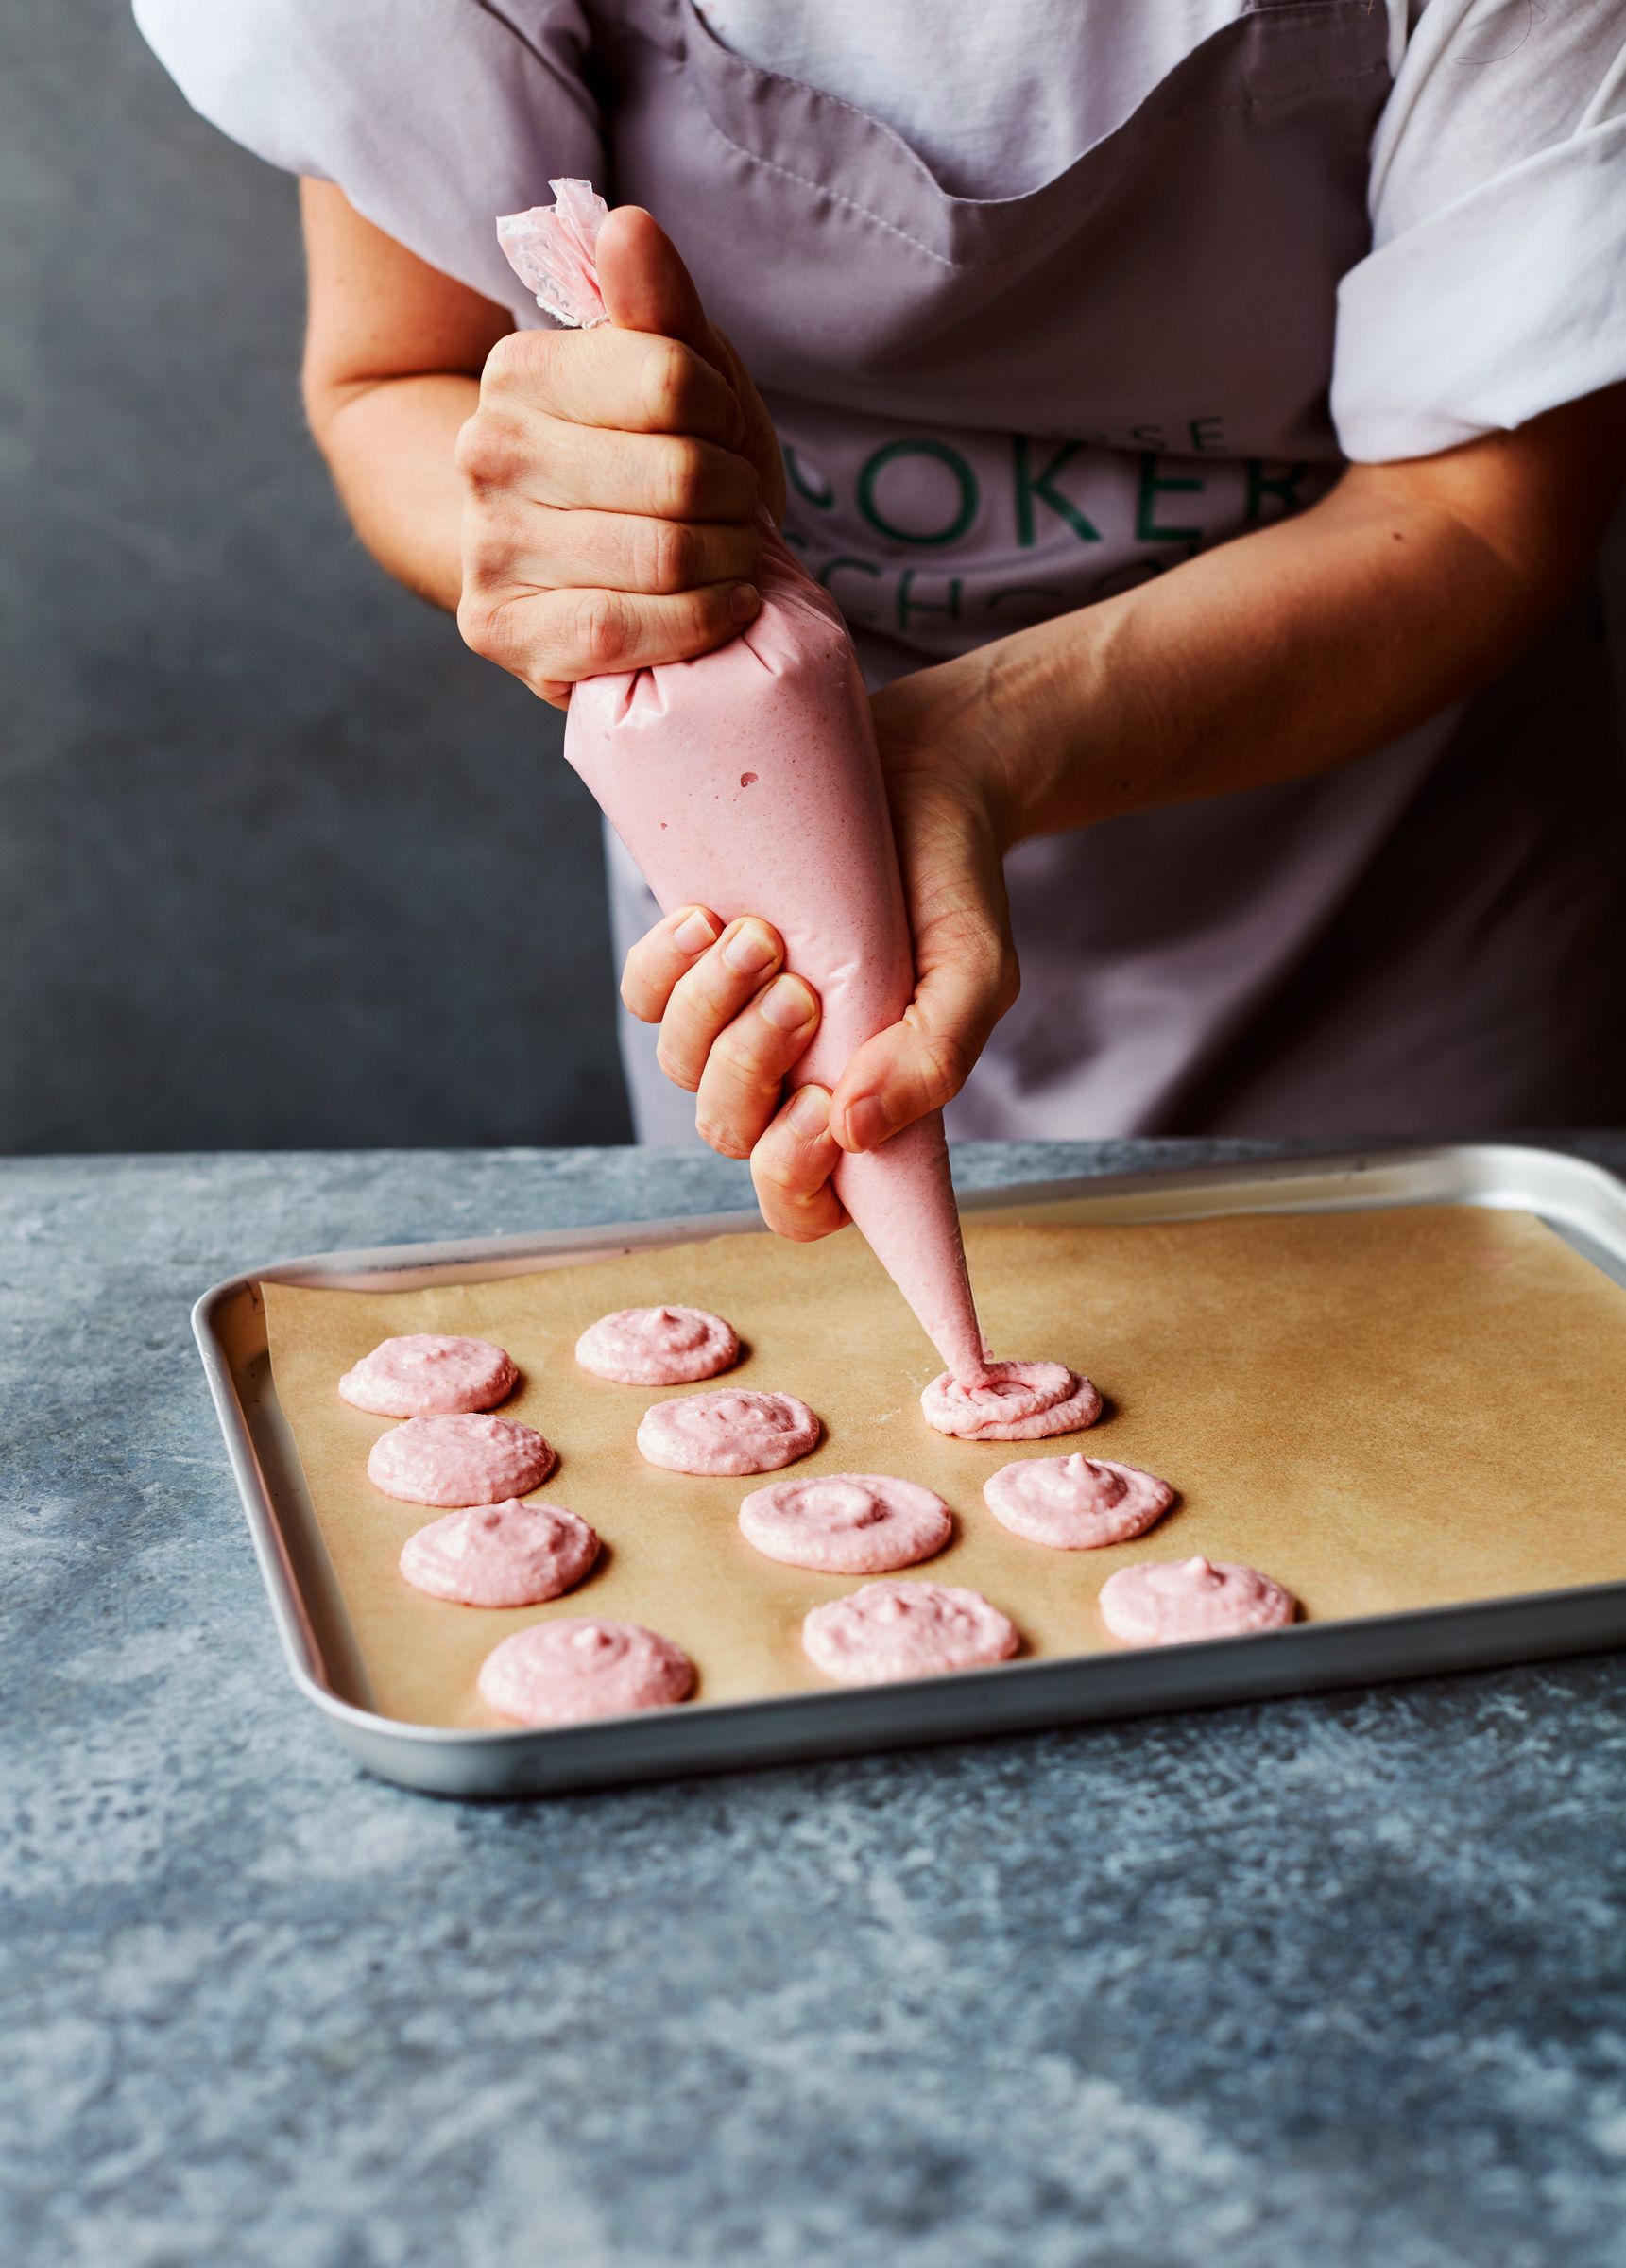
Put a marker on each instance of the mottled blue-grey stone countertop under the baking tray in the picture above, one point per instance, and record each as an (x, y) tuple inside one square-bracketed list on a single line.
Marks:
[(1332, 1981)]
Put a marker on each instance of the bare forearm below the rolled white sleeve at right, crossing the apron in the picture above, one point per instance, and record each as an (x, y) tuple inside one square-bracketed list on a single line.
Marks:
[(1287, 652)]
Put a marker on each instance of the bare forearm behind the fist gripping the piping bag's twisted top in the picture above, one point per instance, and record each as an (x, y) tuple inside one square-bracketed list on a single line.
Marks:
[(391, 452)]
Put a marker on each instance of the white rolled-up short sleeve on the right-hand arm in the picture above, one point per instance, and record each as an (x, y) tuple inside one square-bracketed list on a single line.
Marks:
[(1496, 285)]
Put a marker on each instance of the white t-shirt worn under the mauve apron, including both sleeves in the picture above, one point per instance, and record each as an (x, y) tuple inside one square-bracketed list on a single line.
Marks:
[(1496, 285)]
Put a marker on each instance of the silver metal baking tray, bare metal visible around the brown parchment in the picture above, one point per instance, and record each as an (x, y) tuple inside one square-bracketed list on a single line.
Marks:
[(1575, 1199)]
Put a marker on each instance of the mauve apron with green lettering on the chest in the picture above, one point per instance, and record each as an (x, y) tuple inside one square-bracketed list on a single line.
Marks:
[(1003, 409)]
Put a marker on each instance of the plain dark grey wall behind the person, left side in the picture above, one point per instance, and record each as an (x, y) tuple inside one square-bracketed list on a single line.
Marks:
[(280, 863)]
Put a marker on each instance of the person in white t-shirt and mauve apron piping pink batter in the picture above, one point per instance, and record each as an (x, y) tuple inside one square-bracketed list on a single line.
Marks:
[(1208, 418)]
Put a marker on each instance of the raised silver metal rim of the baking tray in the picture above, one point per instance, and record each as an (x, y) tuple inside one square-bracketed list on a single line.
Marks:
[(870, 1718)]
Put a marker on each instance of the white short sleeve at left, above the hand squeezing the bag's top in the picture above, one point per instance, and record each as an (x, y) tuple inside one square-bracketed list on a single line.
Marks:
[(434, 117)]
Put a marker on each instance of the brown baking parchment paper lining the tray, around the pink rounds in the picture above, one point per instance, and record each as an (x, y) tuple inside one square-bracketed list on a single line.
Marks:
[(1384, 1412)]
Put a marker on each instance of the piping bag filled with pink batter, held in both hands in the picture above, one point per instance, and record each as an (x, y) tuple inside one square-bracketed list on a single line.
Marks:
[(750, 781)]
